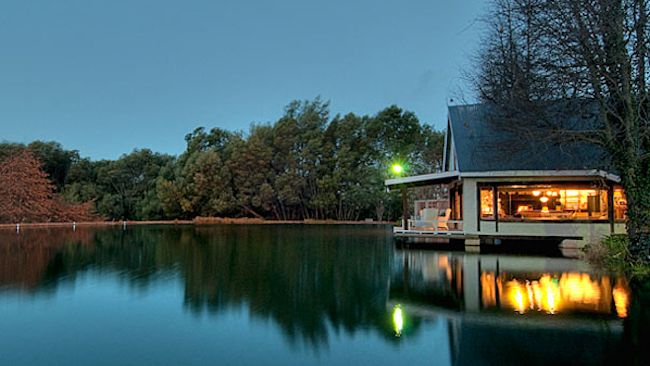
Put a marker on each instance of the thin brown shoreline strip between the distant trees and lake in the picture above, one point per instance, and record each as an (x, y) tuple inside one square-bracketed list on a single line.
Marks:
[(199, 221)]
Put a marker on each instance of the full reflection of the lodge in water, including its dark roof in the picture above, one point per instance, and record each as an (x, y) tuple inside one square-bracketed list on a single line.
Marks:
[(500, 309)]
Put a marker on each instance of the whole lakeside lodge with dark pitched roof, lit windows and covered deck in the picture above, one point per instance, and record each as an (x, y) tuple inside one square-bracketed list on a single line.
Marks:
[(497, 186)]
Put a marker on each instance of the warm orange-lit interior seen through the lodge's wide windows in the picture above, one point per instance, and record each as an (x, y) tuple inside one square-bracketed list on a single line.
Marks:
[(551, 202)]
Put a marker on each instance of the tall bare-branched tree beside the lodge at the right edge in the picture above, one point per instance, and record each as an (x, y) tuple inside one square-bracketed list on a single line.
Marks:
[(588, 53)]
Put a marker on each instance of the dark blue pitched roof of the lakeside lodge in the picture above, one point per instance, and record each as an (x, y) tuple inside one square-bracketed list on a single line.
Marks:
[(485, 141)]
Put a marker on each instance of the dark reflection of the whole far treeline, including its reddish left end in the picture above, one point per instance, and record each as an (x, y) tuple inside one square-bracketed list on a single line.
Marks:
[(306, 279)]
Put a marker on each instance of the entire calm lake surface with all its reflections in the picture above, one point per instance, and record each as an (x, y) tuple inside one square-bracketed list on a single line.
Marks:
[(297, 295)]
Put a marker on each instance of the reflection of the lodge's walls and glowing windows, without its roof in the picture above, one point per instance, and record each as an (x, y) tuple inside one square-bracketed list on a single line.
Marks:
[(507, 284)]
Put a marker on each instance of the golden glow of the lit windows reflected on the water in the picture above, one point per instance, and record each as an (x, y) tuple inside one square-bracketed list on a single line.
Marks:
[(555, 293)]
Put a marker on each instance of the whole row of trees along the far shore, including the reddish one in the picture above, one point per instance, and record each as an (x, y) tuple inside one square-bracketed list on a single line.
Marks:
[(305, 165)]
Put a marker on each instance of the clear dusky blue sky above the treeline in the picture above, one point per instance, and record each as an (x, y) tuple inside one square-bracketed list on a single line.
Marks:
[(106, 77)]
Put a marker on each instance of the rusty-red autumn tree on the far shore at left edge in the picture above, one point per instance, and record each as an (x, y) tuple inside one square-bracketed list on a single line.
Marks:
[(27, 195)]
